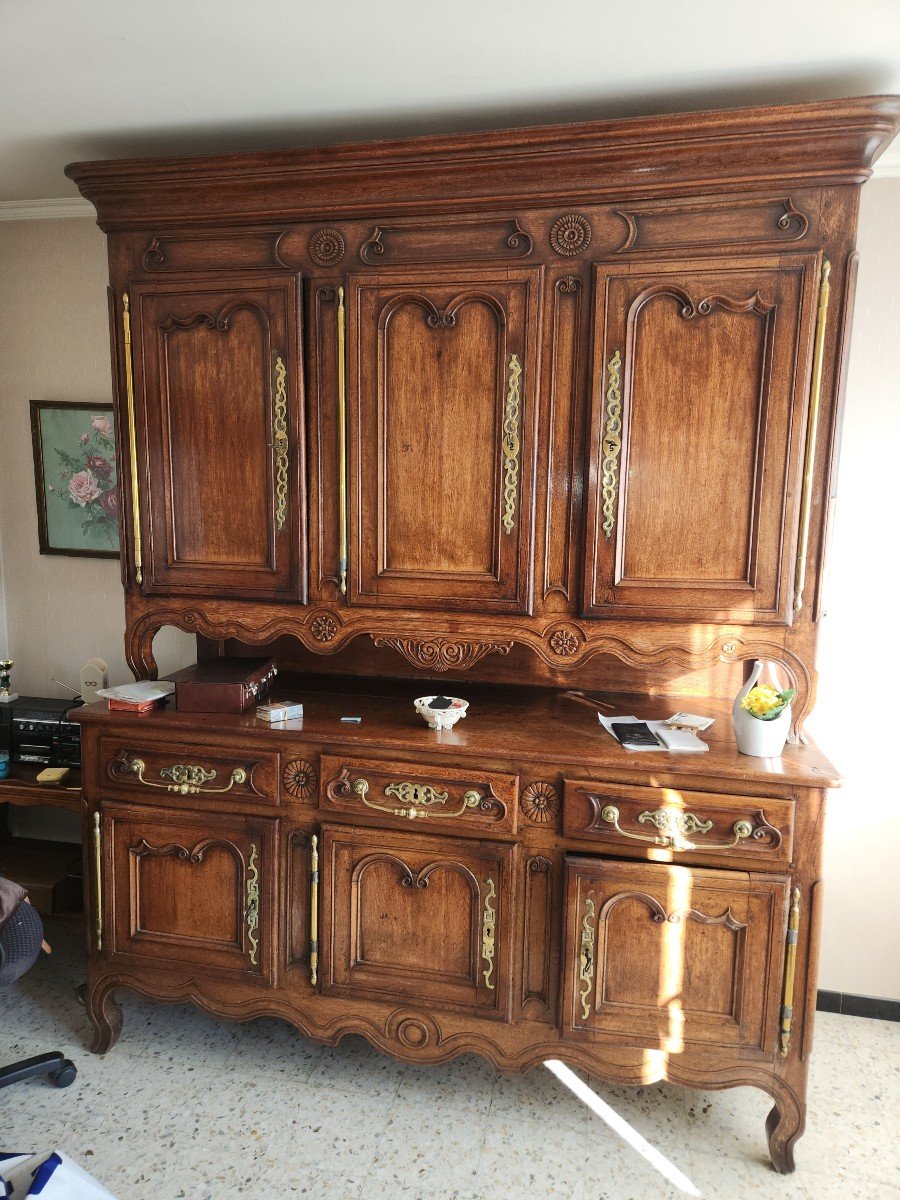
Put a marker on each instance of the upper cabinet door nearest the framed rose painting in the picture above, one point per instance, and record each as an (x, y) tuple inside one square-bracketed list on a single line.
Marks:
[(220, 436)]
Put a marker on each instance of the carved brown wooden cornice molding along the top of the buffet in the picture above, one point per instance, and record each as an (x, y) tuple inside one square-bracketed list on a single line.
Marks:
[(565, 165)]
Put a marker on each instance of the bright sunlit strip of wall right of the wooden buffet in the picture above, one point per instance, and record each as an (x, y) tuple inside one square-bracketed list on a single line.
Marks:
[(860, 657)]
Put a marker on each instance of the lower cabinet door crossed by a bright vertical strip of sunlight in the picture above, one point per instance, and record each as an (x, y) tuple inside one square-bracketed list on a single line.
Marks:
[(674, 957)]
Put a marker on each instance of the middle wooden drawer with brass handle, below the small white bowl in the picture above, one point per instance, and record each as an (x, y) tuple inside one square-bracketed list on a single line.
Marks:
[(460, 799)]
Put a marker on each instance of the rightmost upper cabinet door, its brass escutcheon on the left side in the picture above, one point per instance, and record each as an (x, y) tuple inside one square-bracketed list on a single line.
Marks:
[(700, 388)]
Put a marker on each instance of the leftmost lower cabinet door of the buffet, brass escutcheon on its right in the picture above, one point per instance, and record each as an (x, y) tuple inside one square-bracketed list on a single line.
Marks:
[(197, 891)]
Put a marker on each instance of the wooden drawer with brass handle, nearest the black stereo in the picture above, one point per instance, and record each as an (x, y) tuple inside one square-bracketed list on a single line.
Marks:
[(212, 778)]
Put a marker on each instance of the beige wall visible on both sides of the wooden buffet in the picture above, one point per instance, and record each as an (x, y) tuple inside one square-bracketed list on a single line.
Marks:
[(61, 611)]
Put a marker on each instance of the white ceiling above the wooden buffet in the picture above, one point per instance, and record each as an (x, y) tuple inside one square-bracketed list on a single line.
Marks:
[(113, 79)]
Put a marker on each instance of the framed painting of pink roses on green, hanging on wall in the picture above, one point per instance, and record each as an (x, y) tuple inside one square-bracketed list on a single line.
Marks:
[(76, 482)]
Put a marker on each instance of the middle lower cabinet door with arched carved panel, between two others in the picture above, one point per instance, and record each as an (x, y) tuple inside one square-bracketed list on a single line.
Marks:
[(417, 920)]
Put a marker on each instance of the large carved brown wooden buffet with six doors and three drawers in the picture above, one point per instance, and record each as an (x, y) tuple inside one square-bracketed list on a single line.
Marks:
[(519, 412)]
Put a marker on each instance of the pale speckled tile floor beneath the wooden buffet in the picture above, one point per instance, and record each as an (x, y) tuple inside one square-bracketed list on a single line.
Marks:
[(189, 1107)]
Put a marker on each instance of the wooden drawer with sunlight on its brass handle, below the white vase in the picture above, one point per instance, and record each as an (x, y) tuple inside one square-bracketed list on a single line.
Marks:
[(701, 825)]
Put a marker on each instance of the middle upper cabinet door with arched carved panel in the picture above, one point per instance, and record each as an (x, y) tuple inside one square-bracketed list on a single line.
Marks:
[(442, 385)]
